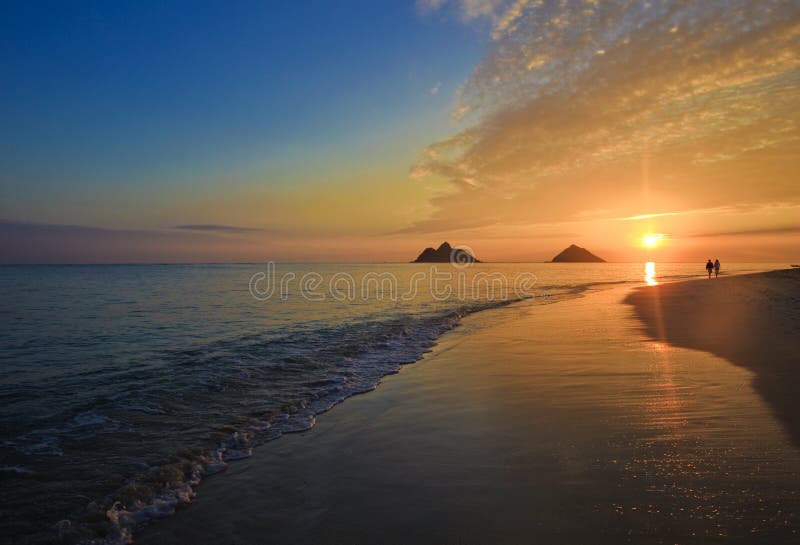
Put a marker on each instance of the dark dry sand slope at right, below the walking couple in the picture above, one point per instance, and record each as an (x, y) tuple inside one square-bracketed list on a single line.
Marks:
[(750, 320)]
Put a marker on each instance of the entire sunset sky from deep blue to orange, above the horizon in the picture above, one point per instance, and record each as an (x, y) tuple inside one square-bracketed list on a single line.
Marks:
[(366, 131)]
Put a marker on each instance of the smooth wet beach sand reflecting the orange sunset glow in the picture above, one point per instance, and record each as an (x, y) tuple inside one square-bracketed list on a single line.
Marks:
[(534, 423)]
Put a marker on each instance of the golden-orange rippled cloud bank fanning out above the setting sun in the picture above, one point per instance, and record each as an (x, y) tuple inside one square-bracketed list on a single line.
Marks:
[(627, 108)]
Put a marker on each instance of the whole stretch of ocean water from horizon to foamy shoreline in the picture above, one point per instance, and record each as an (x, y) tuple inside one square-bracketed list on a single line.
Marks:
[(122, 387)]
